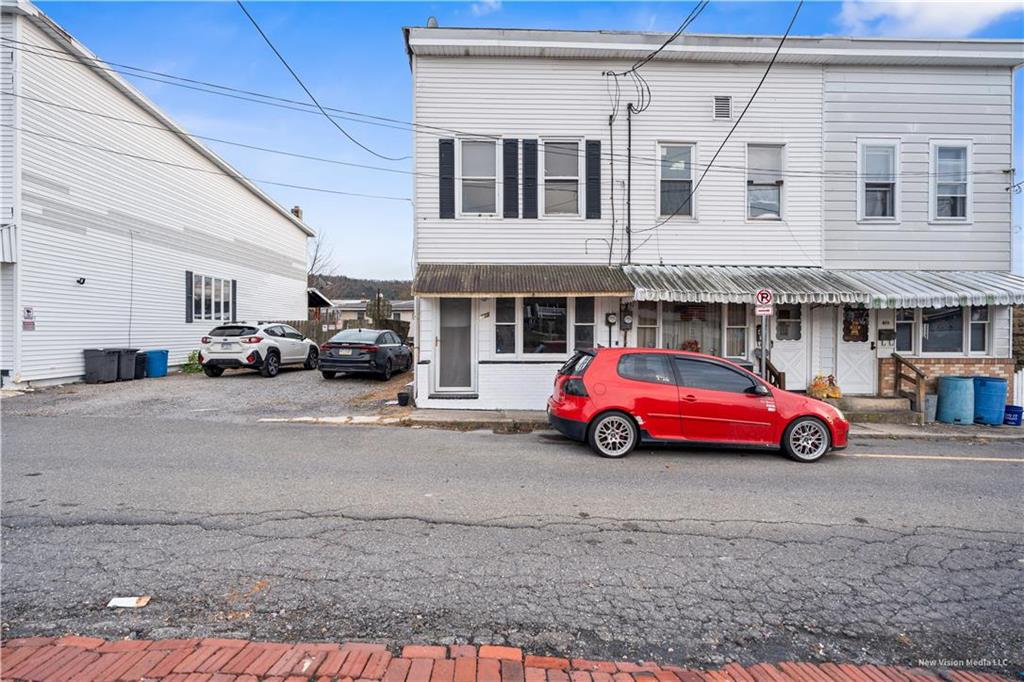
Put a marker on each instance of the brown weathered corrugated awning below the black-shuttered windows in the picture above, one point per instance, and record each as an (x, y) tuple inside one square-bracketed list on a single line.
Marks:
[(477, 280)]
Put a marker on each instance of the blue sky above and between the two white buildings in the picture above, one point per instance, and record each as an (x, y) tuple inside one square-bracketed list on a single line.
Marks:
[(352, 56)]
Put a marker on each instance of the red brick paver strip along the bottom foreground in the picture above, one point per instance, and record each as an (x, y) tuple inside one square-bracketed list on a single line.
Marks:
[(90, 660)]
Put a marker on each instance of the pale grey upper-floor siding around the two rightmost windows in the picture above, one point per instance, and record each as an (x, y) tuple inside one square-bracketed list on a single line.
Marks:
[(916, 106)]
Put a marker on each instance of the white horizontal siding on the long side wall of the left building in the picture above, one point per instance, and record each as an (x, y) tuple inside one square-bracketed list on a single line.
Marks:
[(132, 229)]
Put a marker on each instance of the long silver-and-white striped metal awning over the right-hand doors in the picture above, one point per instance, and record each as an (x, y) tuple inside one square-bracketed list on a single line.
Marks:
[(879, 289)]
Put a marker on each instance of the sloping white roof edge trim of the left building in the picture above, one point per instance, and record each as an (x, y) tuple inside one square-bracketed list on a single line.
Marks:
[(80, 52)]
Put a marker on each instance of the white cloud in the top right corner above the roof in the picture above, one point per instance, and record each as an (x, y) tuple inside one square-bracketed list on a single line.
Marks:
[(938, 19)]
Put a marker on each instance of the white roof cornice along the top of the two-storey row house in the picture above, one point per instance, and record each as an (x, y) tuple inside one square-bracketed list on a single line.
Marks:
[(709, 48)]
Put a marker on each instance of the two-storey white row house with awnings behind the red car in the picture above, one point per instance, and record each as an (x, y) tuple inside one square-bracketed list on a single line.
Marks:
[(868, 187)]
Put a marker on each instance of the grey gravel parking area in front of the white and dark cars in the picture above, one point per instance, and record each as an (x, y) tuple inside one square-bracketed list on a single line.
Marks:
[(237, 397)]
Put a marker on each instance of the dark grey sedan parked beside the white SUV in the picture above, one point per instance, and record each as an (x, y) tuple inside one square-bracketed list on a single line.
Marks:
[(377, 352)]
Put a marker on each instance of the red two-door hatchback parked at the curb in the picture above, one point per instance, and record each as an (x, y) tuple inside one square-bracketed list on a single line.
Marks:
[(615, 399)]
